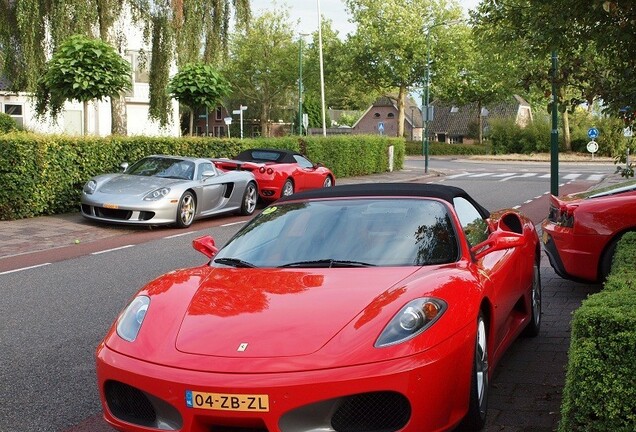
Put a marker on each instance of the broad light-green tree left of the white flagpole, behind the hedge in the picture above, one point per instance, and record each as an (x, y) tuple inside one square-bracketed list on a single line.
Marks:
[(263, 65)]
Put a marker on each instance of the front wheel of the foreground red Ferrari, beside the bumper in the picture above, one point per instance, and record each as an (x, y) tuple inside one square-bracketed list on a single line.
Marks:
[(478, 407)]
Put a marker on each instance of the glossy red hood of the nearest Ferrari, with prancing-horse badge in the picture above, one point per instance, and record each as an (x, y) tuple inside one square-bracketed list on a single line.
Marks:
[(251, 313)]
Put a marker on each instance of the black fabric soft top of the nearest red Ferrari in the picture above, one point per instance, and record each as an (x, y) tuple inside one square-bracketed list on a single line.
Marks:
[(443, 192)]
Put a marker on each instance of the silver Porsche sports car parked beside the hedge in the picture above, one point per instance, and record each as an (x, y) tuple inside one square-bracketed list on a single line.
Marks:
[(161, 190)]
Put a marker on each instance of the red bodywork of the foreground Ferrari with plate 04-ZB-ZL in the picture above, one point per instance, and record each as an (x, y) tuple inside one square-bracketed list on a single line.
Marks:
[(309, 335)]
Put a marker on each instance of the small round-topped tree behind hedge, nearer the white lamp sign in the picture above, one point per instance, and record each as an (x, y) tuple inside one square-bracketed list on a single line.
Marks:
[(198, 85)]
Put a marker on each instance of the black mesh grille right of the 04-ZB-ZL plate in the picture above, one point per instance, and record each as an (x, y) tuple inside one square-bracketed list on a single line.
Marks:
[(372, 412)]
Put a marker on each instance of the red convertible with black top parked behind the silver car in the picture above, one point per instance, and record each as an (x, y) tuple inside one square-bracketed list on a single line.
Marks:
[(279, 172)]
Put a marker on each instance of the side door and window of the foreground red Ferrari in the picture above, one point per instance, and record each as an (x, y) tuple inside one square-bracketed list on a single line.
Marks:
[(498, 269)]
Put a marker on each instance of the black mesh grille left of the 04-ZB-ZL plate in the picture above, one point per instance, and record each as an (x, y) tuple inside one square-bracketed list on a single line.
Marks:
[(129, 404)]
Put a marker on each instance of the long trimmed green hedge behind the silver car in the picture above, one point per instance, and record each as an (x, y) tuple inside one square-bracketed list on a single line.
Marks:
[(44, 174)]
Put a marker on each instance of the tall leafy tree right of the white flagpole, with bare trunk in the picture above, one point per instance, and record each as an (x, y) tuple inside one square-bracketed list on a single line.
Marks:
[(389, 46)]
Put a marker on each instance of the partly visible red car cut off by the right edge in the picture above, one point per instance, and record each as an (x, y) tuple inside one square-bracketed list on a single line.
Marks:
[(581, 231)]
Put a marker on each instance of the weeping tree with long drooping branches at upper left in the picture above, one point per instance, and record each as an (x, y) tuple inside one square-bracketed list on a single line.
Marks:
[(184, 31)]
